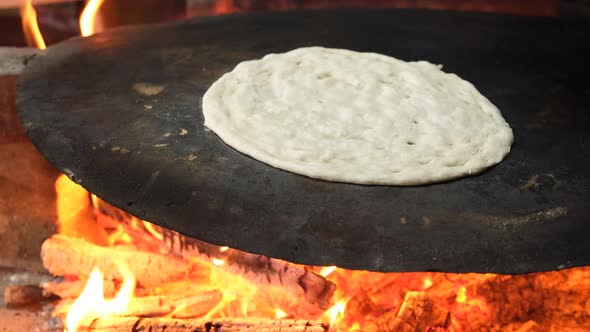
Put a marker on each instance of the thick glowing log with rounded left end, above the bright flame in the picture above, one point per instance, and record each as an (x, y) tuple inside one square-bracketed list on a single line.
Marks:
[(66, 256)]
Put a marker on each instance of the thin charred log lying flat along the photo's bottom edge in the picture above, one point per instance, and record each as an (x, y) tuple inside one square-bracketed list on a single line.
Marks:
[(128, 324)]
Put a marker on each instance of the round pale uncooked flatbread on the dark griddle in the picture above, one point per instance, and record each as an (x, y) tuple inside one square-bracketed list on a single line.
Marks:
[(362, 118)]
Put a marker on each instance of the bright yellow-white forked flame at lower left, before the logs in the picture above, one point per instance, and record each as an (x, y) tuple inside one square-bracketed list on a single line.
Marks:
[(91, 303)]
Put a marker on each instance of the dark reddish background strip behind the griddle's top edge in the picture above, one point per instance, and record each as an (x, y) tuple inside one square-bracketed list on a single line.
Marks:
[(60, 21)]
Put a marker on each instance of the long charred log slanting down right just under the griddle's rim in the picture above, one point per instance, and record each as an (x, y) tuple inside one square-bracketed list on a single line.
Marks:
[(288, 281)]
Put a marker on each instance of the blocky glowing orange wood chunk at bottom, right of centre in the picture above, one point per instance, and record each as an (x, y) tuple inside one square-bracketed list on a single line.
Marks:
[(417, 313)]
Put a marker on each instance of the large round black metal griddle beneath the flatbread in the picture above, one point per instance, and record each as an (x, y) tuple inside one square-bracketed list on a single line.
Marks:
[(151, 156)]
